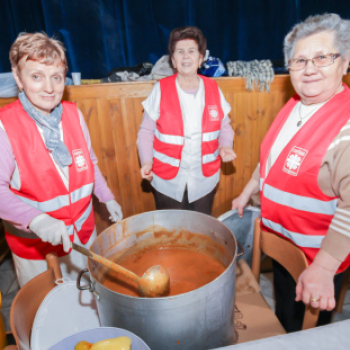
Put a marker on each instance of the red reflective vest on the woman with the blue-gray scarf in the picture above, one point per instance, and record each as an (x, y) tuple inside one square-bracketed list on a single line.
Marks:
[(41, 184)]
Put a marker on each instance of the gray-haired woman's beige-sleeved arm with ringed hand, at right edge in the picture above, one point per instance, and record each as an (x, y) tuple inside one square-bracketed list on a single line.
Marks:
[(334, 180)]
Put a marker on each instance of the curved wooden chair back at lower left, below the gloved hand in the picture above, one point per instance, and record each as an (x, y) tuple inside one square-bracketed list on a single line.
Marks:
[(27, 301)]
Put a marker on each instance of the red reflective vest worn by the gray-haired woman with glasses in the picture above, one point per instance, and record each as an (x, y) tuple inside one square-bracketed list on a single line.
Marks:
[(292, 204)]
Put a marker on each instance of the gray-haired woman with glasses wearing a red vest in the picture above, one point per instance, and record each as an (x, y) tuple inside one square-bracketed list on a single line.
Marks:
[(305, 170)]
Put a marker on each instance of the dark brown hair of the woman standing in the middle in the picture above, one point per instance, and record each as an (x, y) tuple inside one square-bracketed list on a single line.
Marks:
[(185, 33)]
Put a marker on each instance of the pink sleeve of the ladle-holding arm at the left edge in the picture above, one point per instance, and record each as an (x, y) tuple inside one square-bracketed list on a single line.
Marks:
[(12, 209)]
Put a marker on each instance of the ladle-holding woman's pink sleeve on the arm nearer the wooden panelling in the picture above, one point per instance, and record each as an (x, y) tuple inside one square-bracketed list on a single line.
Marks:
[(101, 190)]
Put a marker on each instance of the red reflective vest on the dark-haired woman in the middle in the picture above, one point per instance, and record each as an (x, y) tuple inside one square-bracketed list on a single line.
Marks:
[(169, 133)]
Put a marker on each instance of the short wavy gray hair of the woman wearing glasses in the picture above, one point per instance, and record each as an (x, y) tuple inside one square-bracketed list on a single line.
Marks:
[(329, 22)]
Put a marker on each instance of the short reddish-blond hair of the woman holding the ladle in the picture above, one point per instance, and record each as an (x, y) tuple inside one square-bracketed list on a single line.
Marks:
[(37, 47)]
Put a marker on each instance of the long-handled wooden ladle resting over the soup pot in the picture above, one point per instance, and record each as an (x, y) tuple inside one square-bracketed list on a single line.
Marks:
[(154, 282)]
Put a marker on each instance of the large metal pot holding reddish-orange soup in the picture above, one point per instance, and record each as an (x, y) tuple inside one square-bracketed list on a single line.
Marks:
[(200, 319)]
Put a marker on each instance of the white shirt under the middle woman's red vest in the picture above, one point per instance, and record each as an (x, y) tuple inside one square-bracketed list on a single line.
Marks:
[(190, 172)]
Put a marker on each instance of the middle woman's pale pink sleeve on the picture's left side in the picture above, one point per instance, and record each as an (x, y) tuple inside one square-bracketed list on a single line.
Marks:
[(145, 138)]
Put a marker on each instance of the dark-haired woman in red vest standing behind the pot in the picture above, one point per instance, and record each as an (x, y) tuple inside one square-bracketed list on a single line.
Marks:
[(185, 130)]
